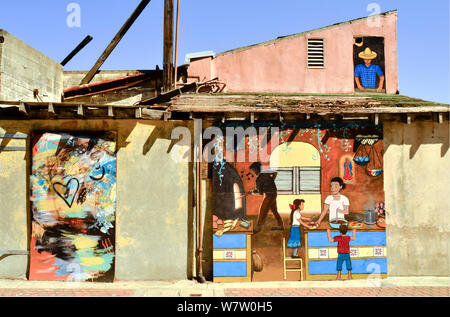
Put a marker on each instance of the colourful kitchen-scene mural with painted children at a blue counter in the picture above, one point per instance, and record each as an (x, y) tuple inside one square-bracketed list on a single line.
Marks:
[(319, 198)]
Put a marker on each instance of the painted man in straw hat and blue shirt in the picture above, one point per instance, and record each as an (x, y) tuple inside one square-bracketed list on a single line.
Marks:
[(366, 74)]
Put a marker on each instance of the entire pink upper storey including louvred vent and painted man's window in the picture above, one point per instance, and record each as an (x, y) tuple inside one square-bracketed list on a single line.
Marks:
[(319, 61)]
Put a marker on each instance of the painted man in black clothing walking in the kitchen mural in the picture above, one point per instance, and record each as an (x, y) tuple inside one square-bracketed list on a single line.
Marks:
[(265, 185)]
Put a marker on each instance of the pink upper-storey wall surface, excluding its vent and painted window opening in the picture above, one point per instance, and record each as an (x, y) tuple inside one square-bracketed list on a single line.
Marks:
[(281, 65)]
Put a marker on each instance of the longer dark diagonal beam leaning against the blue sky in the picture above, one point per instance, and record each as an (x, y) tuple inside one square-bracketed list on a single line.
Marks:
[(123, 30)]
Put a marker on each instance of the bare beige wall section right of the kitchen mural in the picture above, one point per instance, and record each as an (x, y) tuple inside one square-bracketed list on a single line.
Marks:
[(417, 189)]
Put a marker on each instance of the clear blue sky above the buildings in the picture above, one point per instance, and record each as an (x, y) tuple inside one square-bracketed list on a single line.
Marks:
[(217, 25)]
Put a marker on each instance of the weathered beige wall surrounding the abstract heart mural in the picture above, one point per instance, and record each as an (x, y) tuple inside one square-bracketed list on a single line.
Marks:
[(153, 239)]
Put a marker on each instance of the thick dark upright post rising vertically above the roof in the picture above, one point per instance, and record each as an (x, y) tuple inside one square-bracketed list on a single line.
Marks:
[(168, 70)]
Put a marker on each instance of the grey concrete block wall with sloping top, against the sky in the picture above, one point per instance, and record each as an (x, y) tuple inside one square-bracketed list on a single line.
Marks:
[(23, 69)]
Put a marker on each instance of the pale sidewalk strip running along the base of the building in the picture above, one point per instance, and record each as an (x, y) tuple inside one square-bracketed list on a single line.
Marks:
[(404, 286)]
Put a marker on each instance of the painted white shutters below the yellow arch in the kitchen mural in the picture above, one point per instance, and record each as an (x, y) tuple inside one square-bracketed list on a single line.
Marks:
[(298, 180)]
